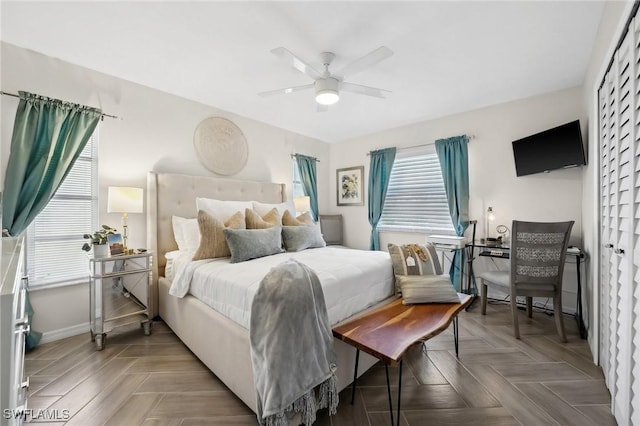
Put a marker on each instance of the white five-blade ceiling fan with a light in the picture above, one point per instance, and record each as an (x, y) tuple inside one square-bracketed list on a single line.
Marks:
[(327, 85)]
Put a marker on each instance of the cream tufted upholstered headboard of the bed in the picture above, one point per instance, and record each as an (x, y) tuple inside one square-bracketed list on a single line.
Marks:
[(171, 194)]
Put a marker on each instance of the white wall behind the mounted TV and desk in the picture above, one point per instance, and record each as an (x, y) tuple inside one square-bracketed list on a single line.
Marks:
[(553, 196)]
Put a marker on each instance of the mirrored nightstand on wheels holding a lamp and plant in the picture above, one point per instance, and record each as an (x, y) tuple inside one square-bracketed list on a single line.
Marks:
[(118, 293)]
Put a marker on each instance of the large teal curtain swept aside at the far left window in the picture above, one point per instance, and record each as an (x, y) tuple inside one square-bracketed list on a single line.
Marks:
[(48, 136)]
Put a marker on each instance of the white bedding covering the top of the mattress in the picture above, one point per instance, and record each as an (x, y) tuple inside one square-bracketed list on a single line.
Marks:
[(352, 280)]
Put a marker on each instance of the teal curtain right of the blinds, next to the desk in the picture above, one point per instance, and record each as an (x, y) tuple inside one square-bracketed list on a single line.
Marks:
[(454, 162)]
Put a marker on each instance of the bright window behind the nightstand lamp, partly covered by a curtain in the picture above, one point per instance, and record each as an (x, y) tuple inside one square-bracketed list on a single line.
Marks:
[(54, 238)]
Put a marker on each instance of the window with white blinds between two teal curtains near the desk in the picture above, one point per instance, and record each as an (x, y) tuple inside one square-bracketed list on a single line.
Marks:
[(416, 199)]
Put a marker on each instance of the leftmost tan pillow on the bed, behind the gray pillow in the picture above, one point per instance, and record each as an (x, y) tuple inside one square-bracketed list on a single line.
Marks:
[(212, 241)]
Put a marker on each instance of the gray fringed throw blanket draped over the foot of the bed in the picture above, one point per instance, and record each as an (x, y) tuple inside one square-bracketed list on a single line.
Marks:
[(292, 347)]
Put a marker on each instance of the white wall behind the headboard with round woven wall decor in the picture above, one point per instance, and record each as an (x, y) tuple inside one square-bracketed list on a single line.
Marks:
[(155, 132)]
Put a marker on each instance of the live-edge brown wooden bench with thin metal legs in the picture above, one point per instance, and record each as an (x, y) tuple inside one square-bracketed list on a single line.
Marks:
[(390, 330)]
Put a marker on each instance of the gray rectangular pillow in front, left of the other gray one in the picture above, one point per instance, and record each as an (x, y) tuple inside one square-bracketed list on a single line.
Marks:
[(246, 244)]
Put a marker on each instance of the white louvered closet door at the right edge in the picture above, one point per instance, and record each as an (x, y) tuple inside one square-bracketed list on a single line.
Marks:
[(620, 227)]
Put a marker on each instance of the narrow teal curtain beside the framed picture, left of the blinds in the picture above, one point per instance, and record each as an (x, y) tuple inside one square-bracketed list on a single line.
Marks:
[(381, 162)]
